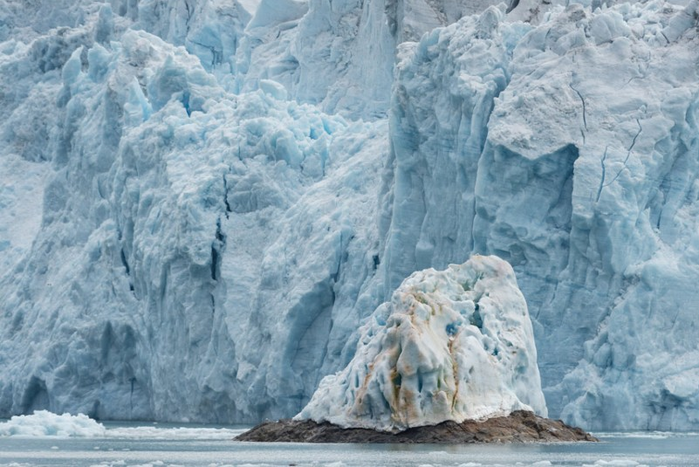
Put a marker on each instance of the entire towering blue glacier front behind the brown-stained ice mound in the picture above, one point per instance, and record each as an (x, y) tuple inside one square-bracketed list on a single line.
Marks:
[(203, 202)]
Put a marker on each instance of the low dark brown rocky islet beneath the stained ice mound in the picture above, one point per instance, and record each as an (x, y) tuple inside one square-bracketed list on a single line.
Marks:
[(518, 427)]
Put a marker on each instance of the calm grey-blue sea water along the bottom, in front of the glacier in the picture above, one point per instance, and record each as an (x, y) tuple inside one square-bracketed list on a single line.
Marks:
[(161, 445)]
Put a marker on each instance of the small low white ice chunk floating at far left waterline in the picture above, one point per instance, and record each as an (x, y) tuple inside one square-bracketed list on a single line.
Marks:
[(44, 423)]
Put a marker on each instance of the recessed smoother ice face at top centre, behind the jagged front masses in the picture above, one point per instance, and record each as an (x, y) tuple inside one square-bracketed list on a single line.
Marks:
[(338, 55)]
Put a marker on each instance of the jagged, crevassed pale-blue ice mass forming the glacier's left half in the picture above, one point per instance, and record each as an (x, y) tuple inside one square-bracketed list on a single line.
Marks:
[(163, 223)]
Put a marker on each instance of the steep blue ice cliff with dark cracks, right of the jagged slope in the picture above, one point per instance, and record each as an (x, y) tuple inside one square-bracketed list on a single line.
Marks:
[(570, 150)]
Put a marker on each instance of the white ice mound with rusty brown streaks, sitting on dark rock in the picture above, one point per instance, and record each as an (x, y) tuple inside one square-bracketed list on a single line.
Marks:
[(450, 345)]
